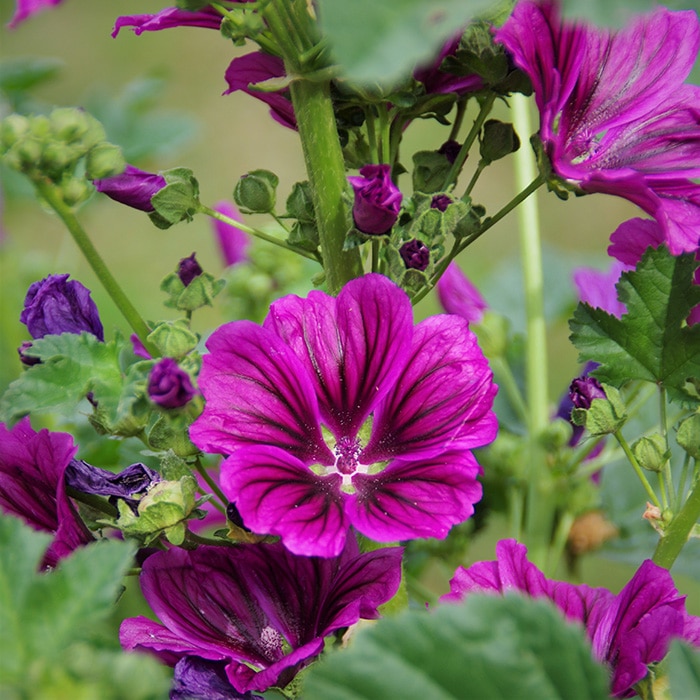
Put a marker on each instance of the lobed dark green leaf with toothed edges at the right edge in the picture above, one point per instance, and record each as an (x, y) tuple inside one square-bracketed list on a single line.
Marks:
[(651, 341)]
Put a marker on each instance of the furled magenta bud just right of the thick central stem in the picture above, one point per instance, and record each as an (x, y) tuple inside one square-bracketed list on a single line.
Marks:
[(377, 200)]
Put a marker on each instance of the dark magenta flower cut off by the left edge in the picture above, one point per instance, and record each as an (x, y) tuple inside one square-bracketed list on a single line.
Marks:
[(32, 467)]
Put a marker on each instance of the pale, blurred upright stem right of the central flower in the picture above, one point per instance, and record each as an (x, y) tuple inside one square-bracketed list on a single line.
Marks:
[(540, 507)]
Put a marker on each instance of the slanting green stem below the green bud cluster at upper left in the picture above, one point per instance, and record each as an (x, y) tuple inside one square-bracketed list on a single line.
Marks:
[(52, 196)]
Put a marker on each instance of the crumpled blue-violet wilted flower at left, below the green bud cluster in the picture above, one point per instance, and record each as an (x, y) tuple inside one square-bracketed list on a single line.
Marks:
[(55, 305)]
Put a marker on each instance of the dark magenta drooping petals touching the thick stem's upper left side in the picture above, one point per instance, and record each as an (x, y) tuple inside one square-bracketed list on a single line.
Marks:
[(257, 67)]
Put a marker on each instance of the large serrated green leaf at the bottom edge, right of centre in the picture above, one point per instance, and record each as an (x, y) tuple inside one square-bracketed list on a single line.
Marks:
[(488, 647)]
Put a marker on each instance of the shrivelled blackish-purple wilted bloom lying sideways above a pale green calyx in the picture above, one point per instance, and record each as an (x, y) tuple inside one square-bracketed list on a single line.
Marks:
[(135, 480)]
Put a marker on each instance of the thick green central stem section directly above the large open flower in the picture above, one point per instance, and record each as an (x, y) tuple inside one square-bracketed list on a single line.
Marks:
[(325, 168)]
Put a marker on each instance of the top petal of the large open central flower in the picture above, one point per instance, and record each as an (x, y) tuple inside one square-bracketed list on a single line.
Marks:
[(354, 347)]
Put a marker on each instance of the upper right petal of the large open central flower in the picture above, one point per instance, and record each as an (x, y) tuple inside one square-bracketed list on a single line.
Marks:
[(446, 384)]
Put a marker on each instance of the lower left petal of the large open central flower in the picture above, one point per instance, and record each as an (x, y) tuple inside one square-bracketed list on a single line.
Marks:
[(277, 494)]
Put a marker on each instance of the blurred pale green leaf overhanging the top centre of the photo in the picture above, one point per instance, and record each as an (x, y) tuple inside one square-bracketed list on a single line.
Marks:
[(381, 42)]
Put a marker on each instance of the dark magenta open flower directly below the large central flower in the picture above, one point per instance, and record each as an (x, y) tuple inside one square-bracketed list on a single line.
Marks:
[(258, 610)]
